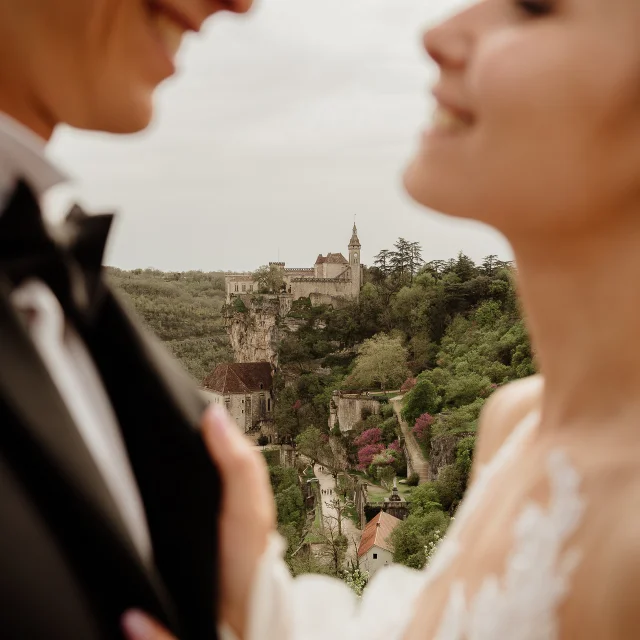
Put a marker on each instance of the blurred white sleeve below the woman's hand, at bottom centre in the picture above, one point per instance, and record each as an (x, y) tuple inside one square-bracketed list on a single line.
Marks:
[(313, 607)]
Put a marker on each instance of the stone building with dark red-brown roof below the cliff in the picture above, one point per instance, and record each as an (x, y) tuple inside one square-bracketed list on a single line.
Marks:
[(246, 390)]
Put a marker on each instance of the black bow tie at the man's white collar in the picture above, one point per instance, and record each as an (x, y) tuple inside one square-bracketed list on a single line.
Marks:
[(69, 263)]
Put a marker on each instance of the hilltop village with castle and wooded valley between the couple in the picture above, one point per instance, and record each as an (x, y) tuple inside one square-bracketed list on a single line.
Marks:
[(360, 384)]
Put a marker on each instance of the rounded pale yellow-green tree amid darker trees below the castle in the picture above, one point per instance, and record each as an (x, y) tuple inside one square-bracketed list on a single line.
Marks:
[(382, 361)]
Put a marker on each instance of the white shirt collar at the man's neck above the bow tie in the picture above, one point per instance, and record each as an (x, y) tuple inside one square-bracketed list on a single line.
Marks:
[(22, 156)]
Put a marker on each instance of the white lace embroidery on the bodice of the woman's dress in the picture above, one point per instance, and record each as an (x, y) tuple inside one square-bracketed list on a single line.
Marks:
[(522, 604)]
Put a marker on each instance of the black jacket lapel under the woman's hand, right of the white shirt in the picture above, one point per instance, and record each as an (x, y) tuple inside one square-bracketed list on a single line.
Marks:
[(159, 410)]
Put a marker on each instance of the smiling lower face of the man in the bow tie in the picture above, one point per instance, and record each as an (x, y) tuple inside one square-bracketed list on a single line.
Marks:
[(95, 64)]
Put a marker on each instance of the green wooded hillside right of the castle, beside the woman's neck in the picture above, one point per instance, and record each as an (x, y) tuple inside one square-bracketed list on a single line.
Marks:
[(449, 333)]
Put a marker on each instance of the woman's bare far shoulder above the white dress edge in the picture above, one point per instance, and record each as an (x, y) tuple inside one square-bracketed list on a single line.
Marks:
[(502, 412)]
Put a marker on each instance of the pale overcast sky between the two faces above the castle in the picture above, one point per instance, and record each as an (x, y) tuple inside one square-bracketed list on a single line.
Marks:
[(279, 128)]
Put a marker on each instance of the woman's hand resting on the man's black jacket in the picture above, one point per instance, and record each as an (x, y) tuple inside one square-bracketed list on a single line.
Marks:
[(248, 517)]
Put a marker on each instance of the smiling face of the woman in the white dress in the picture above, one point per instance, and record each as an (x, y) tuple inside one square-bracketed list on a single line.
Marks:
[(538, 124)]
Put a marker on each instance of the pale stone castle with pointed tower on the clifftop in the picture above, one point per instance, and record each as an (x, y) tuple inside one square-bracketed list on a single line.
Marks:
[(332, 277)]
